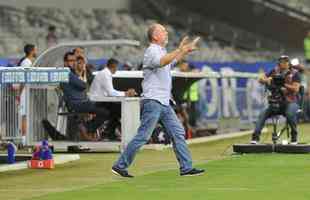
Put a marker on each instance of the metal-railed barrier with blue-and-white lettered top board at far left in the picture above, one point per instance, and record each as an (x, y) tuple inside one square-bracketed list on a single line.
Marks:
[(33, 104)]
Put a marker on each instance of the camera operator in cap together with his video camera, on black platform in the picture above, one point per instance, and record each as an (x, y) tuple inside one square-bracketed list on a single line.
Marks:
[(283, 82)]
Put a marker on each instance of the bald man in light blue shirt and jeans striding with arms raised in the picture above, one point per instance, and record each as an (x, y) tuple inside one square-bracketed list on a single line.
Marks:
[(157, 85)]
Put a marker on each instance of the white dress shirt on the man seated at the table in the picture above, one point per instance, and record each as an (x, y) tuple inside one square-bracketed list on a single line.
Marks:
[(102, 86)]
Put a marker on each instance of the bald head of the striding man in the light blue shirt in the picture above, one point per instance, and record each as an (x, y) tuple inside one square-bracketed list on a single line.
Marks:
[(158, 34)]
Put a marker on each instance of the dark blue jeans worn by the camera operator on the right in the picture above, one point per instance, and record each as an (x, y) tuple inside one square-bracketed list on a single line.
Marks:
[(290, 112)]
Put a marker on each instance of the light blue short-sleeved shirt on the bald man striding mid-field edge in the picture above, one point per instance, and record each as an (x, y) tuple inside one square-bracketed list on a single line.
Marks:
[(157, 82)]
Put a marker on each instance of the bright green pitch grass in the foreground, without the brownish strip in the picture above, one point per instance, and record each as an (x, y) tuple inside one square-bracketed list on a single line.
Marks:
[(240, 177)]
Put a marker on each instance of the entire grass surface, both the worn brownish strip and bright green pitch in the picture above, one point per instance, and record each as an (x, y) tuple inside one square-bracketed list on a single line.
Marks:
[(91, 176)]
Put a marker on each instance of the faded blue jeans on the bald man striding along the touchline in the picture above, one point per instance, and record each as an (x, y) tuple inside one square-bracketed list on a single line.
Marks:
[(152, 112)]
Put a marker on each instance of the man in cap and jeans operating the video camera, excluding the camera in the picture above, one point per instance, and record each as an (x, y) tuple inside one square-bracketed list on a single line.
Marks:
[(290, 91)]
